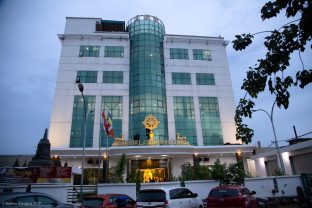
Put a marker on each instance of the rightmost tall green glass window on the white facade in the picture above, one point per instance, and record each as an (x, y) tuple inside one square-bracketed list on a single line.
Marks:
[(210, 121)]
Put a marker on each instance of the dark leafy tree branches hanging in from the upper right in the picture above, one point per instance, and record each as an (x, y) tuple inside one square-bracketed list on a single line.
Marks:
[(271, 71)]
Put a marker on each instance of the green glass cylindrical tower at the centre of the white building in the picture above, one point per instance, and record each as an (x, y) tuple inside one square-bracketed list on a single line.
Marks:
[(147, 76)]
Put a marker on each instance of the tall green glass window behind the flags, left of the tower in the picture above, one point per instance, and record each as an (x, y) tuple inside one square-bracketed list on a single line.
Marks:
[(114, 105)]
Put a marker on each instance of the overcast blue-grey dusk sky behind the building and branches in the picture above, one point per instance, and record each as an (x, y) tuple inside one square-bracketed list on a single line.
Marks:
[(30, 52)]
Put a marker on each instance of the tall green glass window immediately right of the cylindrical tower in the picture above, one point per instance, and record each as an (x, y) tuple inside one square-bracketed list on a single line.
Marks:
[(184, 117)]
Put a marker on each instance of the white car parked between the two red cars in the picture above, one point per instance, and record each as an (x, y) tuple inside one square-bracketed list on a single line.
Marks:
[(168, 198)]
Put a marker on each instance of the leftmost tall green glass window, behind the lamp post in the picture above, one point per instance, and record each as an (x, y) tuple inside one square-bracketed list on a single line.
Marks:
[(78, 121)]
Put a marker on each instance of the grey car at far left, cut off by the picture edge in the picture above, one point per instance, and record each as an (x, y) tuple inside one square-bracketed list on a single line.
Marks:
[(30, 199)]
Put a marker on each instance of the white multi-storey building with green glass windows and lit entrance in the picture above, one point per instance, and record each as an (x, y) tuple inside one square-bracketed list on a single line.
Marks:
[(135, 70)]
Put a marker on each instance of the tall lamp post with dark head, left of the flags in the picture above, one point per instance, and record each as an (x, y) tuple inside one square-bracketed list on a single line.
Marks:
[(80, 86)]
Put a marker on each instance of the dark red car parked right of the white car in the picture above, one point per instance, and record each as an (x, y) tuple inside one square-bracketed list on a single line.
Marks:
[(231, 196)]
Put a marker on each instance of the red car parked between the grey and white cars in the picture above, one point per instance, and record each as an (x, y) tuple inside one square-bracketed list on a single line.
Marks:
[(108, 201)]
